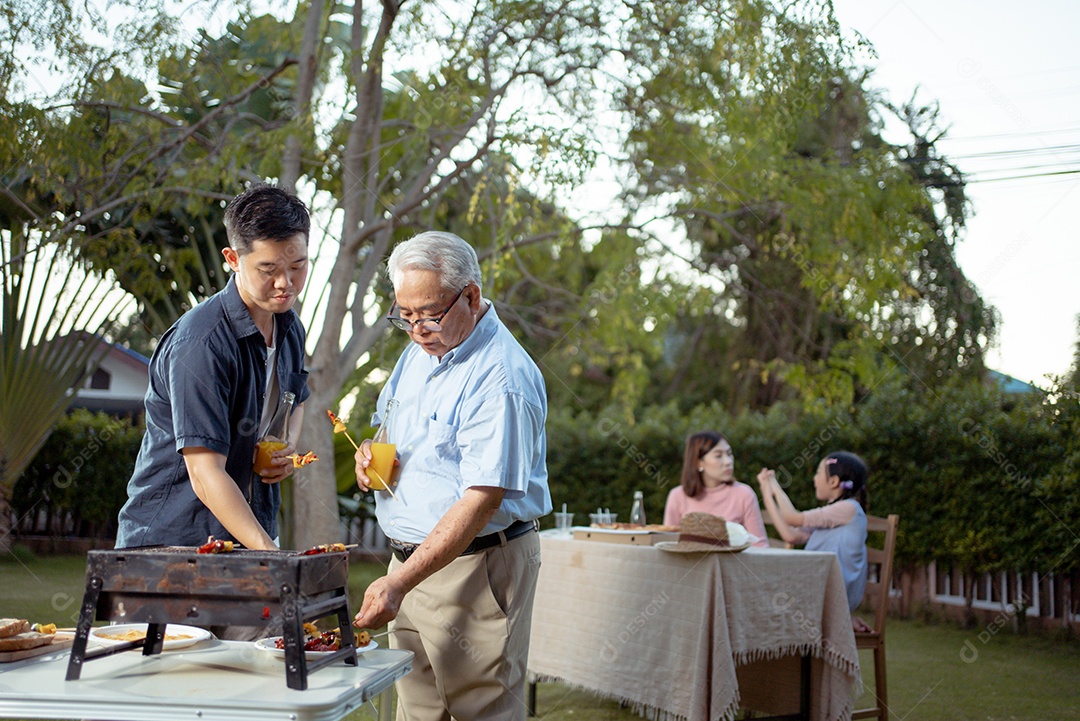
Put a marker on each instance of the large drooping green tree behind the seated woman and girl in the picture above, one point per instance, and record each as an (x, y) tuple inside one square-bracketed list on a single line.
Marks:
[(818, 243)]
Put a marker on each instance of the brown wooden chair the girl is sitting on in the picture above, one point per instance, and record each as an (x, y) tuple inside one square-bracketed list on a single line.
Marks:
[(877, 593)]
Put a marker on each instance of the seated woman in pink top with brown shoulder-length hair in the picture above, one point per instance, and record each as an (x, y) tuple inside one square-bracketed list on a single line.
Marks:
[(709, 486)]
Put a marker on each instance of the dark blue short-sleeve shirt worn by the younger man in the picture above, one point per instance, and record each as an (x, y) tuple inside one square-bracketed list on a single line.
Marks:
[(208, 382)]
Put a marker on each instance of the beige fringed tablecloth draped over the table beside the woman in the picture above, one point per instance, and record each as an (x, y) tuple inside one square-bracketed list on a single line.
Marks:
[(691, 636)]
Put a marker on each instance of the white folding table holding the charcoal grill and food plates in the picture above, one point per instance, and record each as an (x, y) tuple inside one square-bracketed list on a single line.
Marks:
[(213, 681)]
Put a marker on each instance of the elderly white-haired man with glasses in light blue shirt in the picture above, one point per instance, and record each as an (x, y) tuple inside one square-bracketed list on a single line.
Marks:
[(472, 480)]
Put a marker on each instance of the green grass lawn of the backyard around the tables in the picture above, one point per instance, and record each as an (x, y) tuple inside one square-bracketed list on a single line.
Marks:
[(937, 673)]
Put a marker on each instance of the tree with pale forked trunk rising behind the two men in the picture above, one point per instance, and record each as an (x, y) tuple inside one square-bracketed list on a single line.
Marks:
[(402, 142)]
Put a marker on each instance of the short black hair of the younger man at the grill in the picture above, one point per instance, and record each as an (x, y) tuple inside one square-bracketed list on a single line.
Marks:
[(265, 213)]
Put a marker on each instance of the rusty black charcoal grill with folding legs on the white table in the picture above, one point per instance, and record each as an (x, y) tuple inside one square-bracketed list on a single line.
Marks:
[(160, 586)]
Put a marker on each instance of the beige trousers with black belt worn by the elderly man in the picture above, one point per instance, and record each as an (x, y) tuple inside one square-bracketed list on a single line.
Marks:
[(469, 627)]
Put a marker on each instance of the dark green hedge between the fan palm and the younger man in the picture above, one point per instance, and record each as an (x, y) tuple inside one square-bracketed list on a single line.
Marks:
[(79, 481)]
